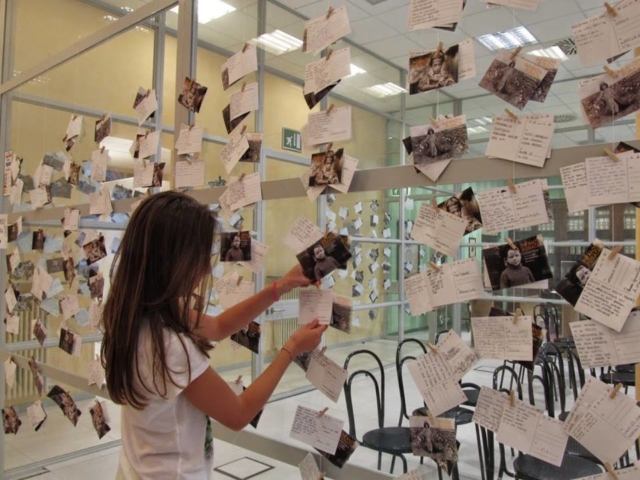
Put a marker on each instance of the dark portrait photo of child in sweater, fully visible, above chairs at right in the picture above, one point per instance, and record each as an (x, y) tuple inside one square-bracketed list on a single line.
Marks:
[(514, 267)]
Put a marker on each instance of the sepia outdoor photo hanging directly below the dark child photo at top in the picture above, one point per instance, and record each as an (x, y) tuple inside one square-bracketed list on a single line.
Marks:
[(447, 139)]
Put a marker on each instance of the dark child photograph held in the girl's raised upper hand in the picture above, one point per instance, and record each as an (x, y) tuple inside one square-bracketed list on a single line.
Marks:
[(323, 257)]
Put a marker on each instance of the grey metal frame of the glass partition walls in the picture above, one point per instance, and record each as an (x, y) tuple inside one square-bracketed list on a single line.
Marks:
[(402, 176)]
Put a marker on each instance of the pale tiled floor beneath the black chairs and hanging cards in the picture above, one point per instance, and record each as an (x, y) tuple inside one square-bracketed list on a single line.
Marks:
[(59, 437)]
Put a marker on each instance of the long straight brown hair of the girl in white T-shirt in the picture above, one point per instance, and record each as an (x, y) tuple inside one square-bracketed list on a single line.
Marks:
[(164, 257)]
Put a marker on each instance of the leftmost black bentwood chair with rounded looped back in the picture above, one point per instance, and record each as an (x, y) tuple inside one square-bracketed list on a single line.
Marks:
[(395, 441)]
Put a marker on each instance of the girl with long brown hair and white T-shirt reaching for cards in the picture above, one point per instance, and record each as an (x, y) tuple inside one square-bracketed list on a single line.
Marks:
[(156, 340)]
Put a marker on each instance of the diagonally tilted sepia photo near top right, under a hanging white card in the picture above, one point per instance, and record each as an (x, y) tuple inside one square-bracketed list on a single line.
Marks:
[(514, 80)]
